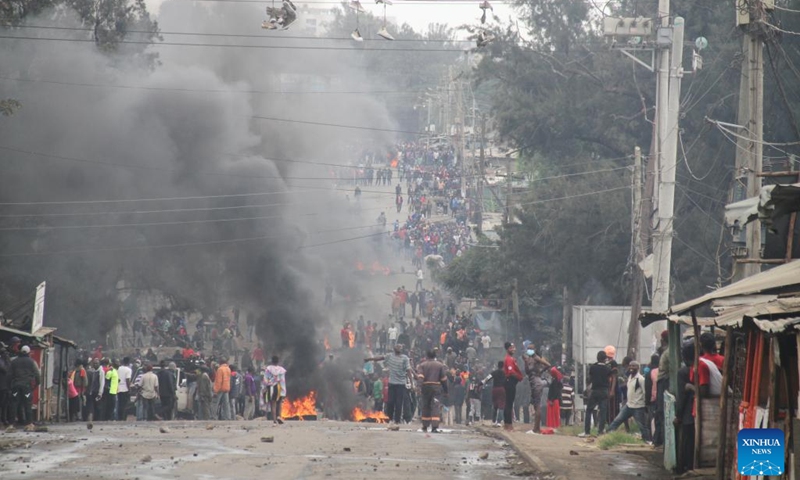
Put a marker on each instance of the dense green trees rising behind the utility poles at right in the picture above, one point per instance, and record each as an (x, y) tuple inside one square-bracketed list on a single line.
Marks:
[(575, 109)]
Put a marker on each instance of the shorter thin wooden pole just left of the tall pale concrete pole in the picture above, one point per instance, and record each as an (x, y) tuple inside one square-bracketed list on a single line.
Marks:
[(637, 248)]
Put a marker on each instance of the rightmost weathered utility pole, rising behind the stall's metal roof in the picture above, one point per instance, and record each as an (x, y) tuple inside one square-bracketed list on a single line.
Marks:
[(750, 15)]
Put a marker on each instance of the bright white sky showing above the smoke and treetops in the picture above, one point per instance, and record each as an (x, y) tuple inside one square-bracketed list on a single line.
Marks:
[(418, 14)]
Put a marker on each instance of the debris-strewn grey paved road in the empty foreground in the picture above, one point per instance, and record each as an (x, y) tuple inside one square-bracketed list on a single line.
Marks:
[(301, 450)]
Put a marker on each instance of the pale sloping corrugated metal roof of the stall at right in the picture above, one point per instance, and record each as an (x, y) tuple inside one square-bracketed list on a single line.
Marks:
[(778, 278)]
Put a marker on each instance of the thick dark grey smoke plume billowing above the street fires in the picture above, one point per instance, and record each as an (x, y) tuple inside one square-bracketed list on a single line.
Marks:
[(184, 129)]
